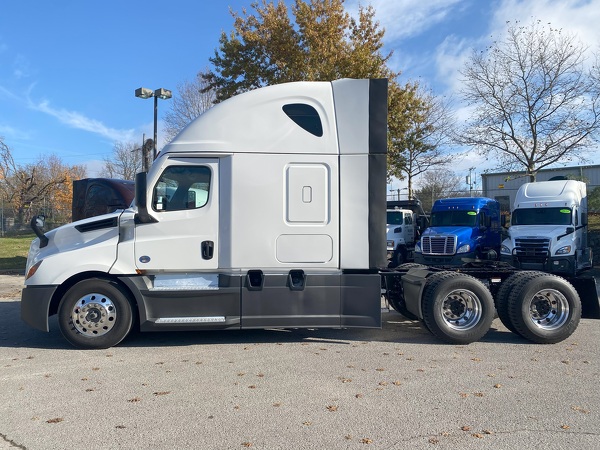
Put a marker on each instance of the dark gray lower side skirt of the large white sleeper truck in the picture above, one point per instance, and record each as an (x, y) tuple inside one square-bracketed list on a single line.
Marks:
[(322, 301)]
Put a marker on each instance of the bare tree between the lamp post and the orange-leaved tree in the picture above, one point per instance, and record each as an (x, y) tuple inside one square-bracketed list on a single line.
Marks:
[(193, 98)]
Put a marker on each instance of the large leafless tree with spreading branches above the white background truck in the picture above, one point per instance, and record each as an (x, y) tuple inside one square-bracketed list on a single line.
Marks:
[(534, 102)]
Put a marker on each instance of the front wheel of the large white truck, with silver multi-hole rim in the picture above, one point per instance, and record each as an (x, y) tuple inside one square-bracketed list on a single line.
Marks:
[(95, 314)]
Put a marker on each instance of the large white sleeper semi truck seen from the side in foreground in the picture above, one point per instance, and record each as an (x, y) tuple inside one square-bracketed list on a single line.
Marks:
[(267, 211)]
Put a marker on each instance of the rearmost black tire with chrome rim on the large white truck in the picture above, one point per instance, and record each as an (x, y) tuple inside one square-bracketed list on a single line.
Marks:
[(544, 308)]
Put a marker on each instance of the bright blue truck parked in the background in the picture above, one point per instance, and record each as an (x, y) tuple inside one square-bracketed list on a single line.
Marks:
[(461, 229)]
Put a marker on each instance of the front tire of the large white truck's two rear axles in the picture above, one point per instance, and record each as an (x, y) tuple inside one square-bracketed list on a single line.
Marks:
[(457, 308)]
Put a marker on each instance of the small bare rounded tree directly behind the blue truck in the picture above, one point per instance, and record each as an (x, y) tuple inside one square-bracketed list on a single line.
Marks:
[(438, 183)]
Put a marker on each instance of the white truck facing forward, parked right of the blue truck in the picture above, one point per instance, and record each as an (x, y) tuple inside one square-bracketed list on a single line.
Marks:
[(548, 228)]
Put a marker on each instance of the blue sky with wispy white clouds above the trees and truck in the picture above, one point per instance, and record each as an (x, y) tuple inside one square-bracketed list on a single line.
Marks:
[(69, 69)]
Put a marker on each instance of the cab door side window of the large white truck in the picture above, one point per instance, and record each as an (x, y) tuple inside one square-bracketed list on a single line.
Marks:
[(181, 187)]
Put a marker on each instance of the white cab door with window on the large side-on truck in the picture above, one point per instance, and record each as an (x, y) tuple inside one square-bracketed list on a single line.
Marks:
[(185, 202)]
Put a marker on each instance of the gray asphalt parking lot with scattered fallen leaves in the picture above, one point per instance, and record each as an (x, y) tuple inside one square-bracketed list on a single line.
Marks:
[(393, 388)]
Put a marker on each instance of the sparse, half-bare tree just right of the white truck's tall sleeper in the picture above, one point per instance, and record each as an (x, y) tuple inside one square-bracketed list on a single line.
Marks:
[(420, 147)]
